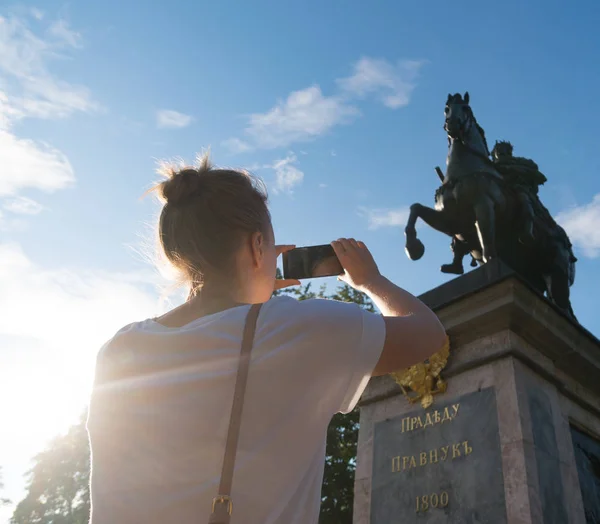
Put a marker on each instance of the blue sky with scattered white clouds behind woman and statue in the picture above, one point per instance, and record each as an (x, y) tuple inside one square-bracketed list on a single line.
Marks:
[(338, 106)]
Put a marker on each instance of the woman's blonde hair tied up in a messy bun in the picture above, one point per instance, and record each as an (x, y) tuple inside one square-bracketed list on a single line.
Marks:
[(206, 214)]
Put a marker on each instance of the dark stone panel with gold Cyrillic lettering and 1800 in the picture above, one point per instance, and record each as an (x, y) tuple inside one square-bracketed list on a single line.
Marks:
[(439, 465)]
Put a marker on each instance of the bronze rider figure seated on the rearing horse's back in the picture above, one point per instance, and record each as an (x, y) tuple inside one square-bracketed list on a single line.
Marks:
[(524, 176)]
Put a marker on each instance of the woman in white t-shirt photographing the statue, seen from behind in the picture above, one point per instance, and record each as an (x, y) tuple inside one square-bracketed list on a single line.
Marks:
[(161, 401)]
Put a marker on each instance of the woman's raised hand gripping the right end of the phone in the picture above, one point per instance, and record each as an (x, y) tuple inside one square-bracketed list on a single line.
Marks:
[(358, 263)]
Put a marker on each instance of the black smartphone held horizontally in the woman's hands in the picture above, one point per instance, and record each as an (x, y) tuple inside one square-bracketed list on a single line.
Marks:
[(311, 262)]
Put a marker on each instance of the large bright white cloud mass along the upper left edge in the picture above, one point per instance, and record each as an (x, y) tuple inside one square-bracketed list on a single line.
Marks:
[(28, 89)]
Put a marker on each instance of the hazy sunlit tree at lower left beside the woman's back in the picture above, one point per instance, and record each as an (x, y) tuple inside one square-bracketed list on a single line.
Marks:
[(58, 484)]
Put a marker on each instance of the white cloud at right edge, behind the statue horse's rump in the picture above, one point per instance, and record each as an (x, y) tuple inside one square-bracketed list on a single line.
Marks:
[(582, 224)]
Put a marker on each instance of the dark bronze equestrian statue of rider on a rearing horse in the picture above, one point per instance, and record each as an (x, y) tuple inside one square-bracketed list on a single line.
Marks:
[(488, 204)]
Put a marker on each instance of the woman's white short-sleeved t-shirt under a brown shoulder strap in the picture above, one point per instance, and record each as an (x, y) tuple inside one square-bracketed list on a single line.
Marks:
[(161, 403)]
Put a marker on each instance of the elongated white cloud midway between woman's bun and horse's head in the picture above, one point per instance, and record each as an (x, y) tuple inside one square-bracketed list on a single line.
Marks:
[(302, 116)]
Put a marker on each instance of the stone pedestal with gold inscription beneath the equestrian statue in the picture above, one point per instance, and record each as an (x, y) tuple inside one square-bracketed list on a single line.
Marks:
[(503, 443)]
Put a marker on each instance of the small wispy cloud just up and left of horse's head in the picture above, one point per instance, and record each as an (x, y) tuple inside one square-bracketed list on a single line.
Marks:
[(392, 83)]
